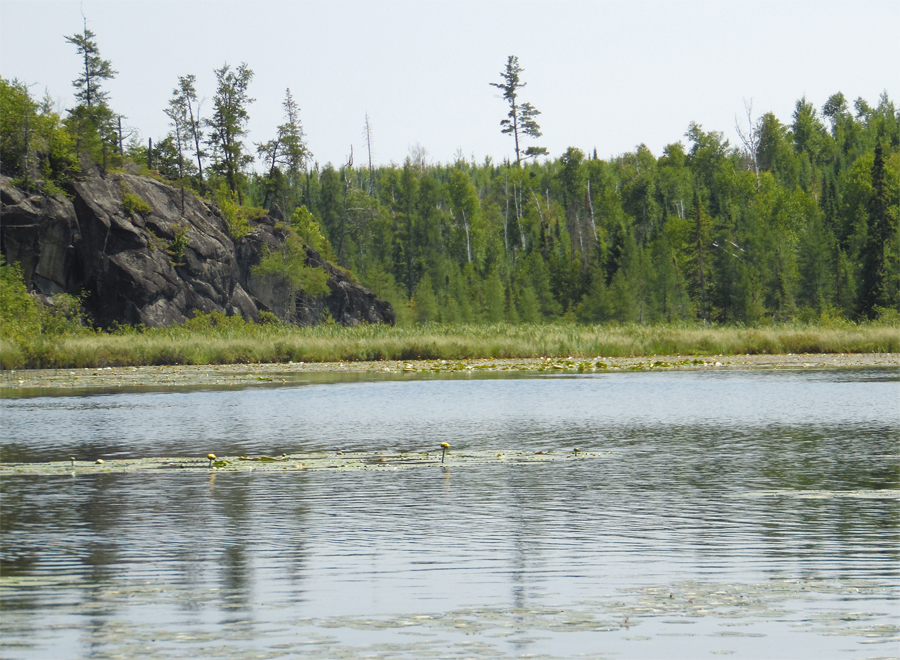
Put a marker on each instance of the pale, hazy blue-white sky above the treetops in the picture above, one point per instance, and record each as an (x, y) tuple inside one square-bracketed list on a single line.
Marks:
[(605, 75)]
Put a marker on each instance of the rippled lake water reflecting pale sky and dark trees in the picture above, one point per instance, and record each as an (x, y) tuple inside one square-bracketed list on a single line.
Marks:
[(734, 512)]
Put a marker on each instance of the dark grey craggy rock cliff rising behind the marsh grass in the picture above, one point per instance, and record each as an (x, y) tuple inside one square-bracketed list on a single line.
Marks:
[(162, 265)]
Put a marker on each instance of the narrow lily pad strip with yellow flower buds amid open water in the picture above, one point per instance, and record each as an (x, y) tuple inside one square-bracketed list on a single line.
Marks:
[(343, 461)]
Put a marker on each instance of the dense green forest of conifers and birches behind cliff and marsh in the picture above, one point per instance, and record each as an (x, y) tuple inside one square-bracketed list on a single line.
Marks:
[(798, 221)]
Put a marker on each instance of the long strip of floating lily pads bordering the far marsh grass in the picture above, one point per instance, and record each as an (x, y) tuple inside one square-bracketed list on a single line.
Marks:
[(34, 381)]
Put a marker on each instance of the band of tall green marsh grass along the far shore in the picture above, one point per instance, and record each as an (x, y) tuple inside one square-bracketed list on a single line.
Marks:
[(233, 342)]
